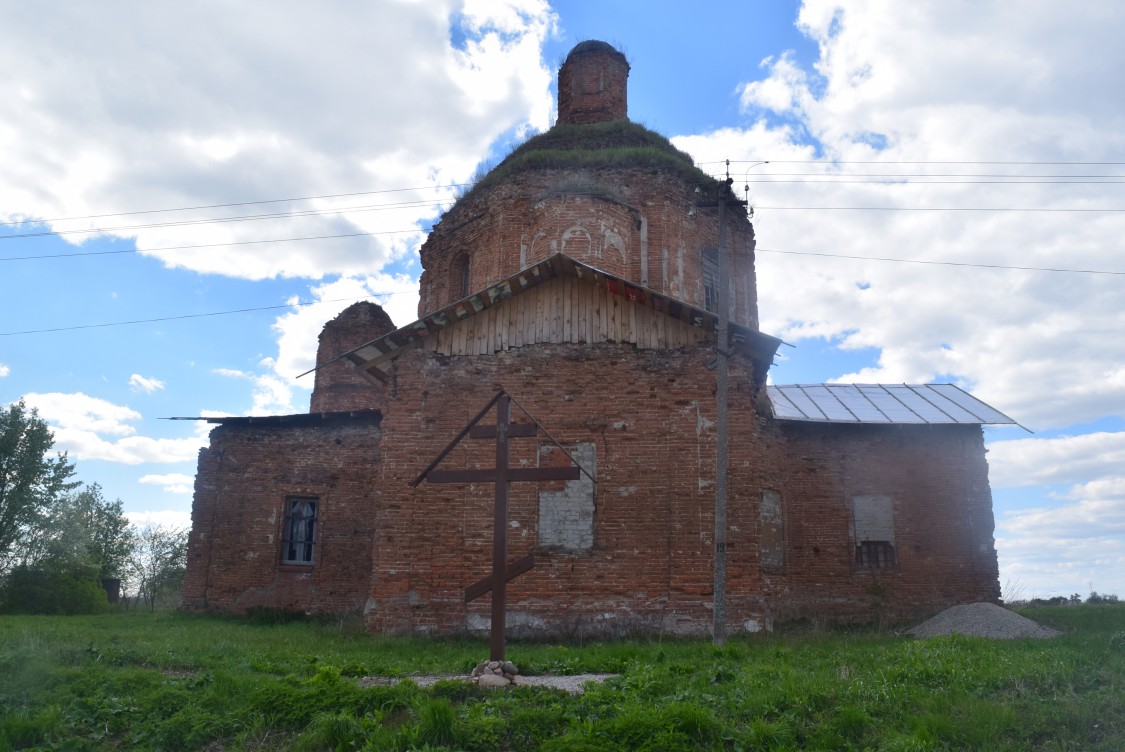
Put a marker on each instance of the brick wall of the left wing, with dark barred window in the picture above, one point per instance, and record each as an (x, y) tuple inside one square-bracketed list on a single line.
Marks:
[(245, 478)]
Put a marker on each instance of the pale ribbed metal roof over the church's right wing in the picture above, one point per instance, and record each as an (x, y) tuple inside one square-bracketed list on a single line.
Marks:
[(881, 404)]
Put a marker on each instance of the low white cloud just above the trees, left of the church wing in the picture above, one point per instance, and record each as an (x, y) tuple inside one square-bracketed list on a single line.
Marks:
[(82, 424)]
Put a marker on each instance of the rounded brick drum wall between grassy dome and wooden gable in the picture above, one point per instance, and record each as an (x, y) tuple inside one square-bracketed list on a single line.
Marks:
[(642, 225)]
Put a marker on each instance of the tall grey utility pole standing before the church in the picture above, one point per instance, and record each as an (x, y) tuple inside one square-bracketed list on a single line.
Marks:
[(723, 381)]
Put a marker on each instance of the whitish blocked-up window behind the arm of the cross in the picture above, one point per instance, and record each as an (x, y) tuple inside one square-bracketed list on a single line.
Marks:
[(566, 516)]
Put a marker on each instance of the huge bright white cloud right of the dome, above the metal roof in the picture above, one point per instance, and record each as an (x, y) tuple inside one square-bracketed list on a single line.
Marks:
[(897, 88)]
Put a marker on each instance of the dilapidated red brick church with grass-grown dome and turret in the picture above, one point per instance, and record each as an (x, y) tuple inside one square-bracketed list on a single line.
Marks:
[(582, 277)]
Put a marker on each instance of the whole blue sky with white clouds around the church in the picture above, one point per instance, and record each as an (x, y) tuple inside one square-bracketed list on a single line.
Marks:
[(188, 192)]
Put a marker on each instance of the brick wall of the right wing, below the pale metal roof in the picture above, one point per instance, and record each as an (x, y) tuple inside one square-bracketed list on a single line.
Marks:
[(937, 479)]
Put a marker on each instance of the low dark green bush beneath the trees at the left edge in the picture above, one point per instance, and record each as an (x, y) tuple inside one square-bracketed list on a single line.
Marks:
[(50, 592)]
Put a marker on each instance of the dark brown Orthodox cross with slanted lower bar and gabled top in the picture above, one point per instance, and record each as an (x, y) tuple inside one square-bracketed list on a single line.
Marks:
[(502, 476)]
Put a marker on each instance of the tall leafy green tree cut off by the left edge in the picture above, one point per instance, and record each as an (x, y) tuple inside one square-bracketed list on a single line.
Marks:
[(32, 484)]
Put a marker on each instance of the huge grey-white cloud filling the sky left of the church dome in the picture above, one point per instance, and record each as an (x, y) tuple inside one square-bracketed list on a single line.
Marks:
[(280, 102)]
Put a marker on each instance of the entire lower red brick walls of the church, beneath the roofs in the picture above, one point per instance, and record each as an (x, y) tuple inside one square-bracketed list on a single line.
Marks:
[(644, 423)]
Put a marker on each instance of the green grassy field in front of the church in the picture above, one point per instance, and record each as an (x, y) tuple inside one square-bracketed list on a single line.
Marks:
[(173, 682)]
